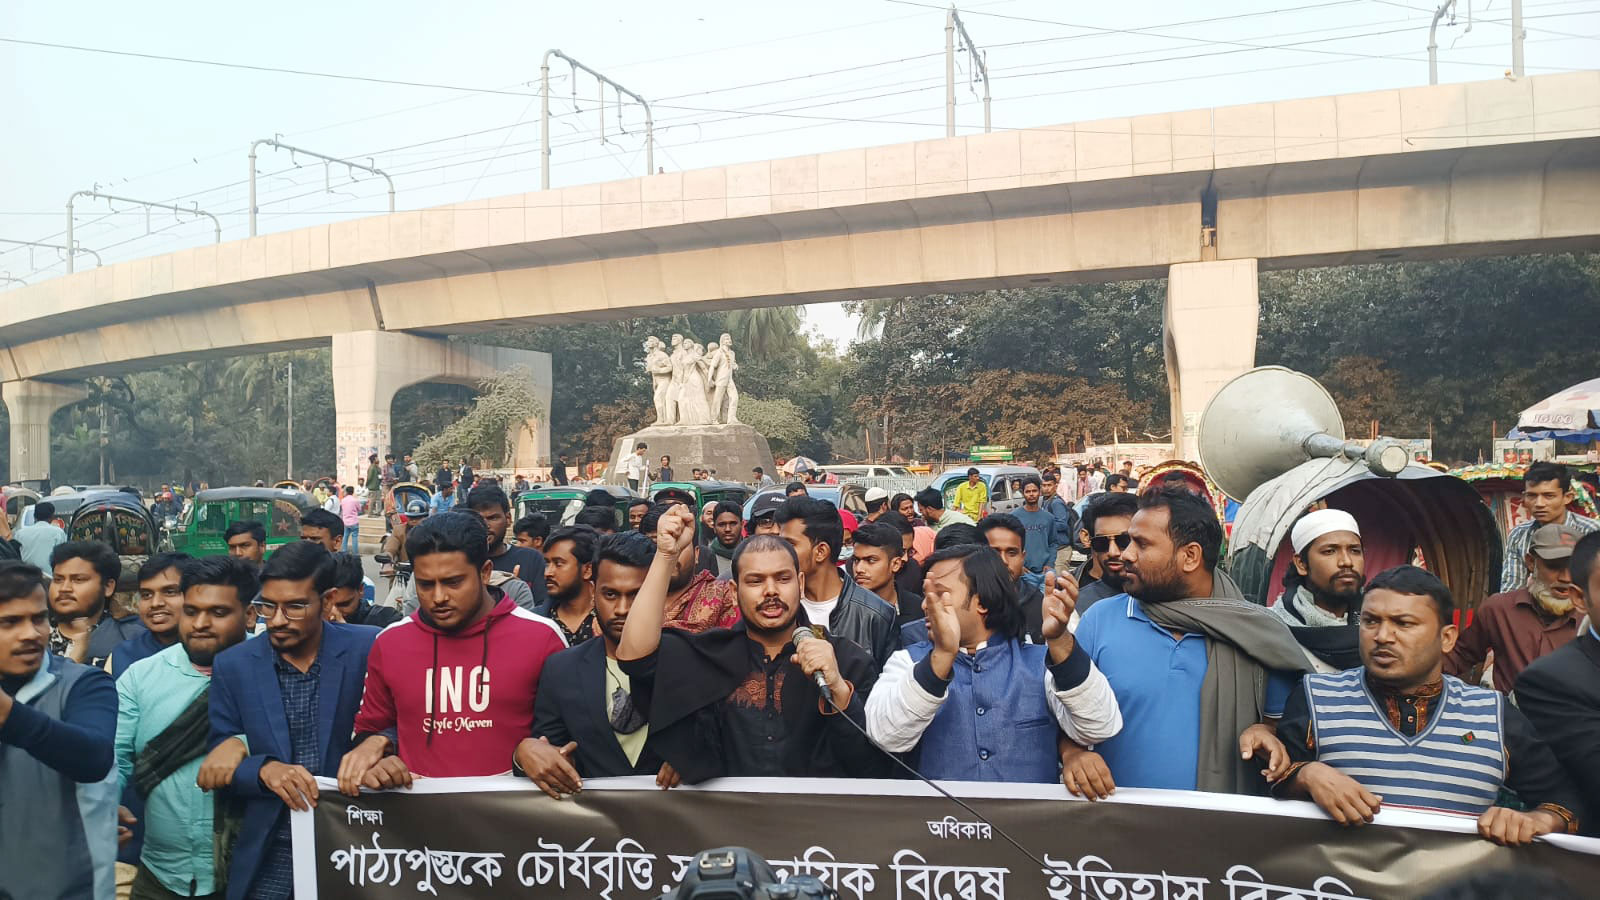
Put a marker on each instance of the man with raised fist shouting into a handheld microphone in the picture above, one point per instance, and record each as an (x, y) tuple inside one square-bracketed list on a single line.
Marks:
[(746, 701)]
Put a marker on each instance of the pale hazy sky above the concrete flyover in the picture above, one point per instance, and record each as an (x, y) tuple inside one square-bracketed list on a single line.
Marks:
[(729, 82)]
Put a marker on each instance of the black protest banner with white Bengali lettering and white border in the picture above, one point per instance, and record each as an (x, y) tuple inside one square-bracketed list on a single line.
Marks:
[(884, 840)]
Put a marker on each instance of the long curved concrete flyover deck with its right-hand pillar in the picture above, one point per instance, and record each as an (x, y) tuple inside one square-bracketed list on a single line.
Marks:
[(1207, 196)]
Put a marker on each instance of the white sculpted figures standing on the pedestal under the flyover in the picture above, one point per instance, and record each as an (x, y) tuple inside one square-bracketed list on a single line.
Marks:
[(694, 385)]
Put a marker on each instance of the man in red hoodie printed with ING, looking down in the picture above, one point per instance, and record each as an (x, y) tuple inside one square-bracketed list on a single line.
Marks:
[(431, 705)]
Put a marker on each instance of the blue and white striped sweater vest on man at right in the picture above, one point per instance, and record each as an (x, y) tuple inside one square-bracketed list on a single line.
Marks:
[(1457, 763)]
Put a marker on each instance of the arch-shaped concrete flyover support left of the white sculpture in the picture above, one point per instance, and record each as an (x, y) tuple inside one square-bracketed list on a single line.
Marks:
[(372, 368)]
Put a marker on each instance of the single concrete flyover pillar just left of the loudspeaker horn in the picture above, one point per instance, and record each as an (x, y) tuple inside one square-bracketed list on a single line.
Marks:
[(1212, 315)]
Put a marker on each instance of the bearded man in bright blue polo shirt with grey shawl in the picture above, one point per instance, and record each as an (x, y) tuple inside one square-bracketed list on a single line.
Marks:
[(1182, 653)]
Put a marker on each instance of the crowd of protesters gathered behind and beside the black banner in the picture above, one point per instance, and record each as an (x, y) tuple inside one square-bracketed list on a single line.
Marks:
[(159, 750)]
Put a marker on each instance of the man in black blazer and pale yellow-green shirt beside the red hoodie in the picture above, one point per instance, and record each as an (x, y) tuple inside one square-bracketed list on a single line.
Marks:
[(585, 723)]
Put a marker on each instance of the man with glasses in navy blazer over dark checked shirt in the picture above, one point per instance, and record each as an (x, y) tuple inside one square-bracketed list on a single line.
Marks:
[(282, 713)]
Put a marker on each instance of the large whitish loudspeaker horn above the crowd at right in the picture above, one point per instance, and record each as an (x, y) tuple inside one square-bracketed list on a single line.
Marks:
[(1270, 420)]
